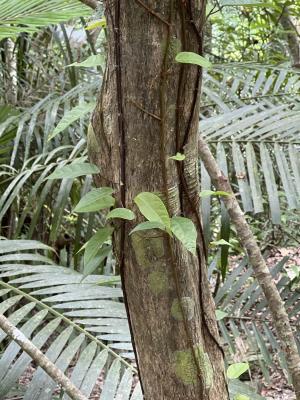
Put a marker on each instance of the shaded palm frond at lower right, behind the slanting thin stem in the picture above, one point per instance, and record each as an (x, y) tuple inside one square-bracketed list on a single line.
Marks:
[(247, 329)]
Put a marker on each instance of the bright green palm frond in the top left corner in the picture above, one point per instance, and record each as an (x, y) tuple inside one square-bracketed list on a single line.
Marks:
[(28, 16)]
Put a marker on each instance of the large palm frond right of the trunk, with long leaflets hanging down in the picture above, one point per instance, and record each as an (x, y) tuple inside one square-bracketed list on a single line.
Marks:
[(254, 121)]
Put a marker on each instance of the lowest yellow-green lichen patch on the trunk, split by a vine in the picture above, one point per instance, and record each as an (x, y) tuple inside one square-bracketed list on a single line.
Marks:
[(186, 369)]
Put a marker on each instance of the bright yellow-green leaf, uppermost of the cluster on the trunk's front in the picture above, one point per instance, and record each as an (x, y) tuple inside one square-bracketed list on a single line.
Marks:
[(152, 207)]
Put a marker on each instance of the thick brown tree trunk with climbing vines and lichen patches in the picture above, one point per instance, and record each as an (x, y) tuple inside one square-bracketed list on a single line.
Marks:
[(148, 110)]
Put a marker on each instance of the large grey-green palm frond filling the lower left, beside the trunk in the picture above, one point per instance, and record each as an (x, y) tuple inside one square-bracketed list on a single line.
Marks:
[(80, 320)]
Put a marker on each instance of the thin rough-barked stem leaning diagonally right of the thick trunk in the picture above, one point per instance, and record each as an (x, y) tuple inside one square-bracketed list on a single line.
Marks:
[(279, 315)]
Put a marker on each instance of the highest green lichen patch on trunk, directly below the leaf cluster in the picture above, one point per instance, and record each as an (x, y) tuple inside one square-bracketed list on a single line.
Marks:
[(148, 247)]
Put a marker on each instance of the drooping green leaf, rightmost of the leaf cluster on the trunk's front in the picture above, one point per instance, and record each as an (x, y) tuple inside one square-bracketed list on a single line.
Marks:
[(185, 231)]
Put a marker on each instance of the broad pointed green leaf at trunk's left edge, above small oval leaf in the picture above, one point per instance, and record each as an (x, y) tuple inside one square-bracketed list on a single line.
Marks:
[(95, 200)]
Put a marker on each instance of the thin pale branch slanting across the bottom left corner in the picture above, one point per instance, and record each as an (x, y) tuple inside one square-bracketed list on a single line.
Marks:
[(41, 360)]
